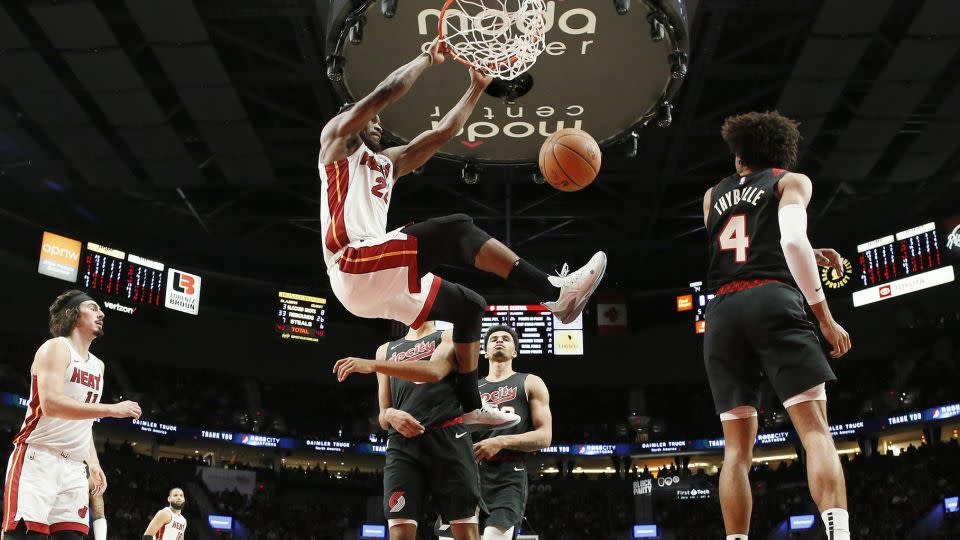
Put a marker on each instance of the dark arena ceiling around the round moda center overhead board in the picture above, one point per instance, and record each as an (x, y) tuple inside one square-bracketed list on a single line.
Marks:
[(189, 131)]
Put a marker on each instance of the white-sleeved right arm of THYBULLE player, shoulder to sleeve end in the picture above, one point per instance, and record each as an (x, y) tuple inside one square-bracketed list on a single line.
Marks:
[(797, 250)]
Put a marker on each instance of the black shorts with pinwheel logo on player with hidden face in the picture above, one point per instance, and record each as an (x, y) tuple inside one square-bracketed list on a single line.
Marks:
[(439, 462)]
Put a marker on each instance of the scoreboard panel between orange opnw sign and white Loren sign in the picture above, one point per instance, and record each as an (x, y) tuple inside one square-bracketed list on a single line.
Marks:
[(126, 276)]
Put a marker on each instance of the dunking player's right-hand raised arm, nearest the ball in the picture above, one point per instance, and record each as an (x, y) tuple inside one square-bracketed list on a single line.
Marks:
[(411, 156)]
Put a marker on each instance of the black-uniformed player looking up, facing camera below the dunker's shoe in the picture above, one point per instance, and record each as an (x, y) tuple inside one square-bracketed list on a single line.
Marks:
[(502, 455)]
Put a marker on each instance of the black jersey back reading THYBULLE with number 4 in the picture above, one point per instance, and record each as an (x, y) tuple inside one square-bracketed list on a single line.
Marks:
[(744, 229)]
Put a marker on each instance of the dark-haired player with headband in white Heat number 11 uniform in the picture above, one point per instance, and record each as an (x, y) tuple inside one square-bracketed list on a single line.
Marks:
[(46, 492)]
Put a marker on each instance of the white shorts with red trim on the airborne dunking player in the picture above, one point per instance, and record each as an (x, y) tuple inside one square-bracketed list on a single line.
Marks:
[(377, 279)]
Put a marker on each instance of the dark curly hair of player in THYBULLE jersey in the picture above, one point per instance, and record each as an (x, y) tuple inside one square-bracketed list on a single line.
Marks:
[(763, 139)]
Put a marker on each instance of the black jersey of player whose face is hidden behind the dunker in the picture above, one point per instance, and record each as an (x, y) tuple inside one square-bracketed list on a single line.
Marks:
[(430, 403)]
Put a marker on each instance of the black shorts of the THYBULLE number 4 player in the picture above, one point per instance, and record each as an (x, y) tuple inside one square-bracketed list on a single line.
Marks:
[(760, 331)]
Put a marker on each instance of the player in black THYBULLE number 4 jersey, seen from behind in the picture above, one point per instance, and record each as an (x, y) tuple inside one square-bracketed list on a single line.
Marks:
[(759, 256)]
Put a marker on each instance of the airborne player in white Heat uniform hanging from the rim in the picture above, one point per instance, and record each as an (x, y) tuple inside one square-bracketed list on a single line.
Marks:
[(376, 274)]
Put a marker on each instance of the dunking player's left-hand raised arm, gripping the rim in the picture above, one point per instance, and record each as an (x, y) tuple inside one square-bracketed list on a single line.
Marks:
[(338, 131)]
